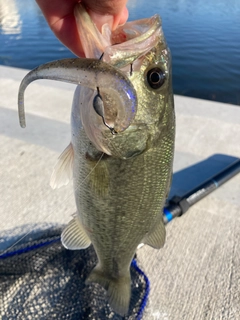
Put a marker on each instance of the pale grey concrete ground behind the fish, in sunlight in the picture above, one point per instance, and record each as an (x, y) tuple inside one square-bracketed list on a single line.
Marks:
[(197, 274)]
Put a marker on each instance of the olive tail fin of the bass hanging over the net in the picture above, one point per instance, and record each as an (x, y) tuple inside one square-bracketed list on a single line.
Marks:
[(118, 290)]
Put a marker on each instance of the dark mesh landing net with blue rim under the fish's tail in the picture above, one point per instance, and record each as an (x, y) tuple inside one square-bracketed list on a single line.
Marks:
[(40, 279)]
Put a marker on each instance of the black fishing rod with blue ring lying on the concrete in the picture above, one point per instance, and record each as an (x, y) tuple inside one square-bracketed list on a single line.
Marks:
[(177, 206)]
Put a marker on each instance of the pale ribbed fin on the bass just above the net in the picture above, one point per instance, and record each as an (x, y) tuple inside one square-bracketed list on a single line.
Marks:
[(74, 237)]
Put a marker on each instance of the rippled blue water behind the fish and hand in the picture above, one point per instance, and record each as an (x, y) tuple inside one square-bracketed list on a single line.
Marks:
[(204, 37)]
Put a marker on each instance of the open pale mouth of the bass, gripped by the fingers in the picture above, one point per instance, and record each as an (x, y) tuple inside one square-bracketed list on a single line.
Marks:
[(122, 46)]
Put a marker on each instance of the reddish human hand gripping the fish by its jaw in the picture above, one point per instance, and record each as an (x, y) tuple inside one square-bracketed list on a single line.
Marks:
[(60, 17)]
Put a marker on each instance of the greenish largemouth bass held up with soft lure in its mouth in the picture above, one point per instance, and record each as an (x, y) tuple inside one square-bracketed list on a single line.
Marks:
[(121, 152)]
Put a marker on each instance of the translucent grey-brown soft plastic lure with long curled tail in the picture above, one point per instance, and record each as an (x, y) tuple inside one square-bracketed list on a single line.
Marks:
[(93, 74)]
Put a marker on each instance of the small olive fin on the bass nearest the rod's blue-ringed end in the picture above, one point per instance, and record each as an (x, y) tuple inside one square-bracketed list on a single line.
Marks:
[(156, 237)]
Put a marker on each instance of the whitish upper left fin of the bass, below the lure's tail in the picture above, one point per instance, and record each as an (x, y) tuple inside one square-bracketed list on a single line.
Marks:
[(62, 172)]
